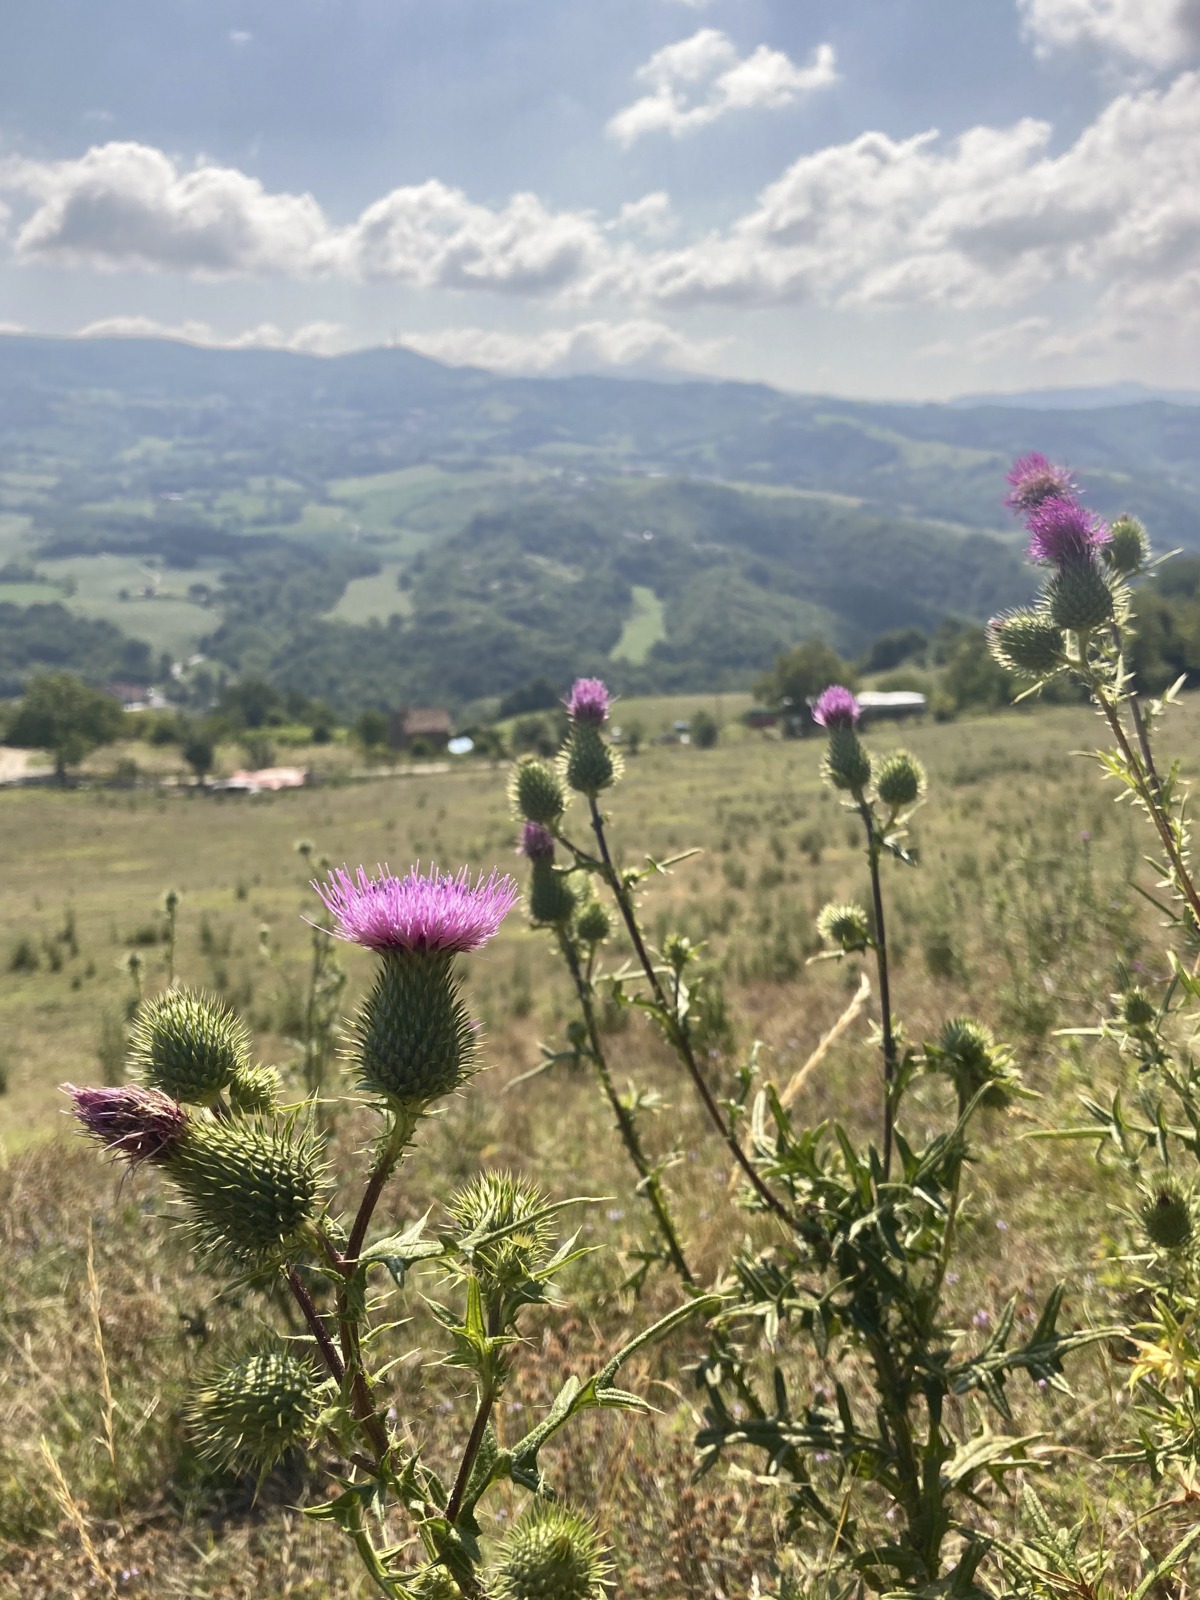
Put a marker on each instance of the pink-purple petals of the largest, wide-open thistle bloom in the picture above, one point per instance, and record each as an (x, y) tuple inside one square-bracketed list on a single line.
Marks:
[(433, 914)]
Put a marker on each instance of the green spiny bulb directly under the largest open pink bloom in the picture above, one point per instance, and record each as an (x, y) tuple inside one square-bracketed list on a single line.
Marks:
[(415, 1041)]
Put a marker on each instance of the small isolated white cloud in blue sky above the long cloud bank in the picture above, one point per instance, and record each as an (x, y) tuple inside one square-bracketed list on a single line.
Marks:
[(703, 79)]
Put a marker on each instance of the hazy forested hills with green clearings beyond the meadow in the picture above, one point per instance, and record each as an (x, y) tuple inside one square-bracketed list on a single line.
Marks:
[(383, 527)]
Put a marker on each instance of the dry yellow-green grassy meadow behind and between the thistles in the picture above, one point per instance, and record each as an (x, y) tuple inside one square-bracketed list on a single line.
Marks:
[(1020, 913)]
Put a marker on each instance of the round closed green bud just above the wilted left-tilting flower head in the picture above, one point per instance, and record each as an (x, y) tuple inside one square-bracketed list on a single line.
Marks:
[(188, 1046)]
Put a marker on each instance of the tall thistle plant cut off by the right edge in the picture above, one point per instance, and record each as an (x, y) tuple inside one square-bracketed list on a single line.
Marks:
[(1082, 626)]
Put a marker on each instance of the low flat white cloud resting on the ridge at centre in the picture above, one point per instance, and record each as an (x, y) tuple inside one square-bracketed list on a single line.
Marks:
[(586, 348)]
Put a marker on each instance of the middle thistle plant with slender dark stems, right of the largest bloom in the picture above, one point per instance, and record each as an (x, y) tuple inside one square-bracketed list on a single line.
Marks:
[(842, 1286)]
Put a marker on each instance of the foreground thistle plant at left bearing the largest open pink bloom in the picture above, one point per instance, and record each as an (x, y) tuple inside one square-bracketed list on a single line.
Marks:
[(262, 1204)]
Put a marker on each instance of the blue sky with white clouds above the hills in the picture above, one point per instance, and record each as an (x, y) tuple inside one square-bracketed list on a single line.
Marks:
[(873, 198)]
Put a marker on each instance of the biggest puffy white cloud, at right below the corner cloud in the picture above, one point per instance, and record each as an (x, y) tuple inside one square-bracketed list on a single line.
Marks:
[(986, 218)]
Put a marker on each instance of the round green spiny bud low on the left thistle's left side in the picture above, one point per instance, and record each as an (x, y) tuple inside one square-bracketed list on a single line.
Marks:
[(249, 1415)]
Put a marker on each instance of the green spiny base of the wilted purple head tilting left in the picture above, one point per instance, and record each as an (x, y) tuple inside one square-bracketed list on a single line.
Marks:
[(252, 1190)]
